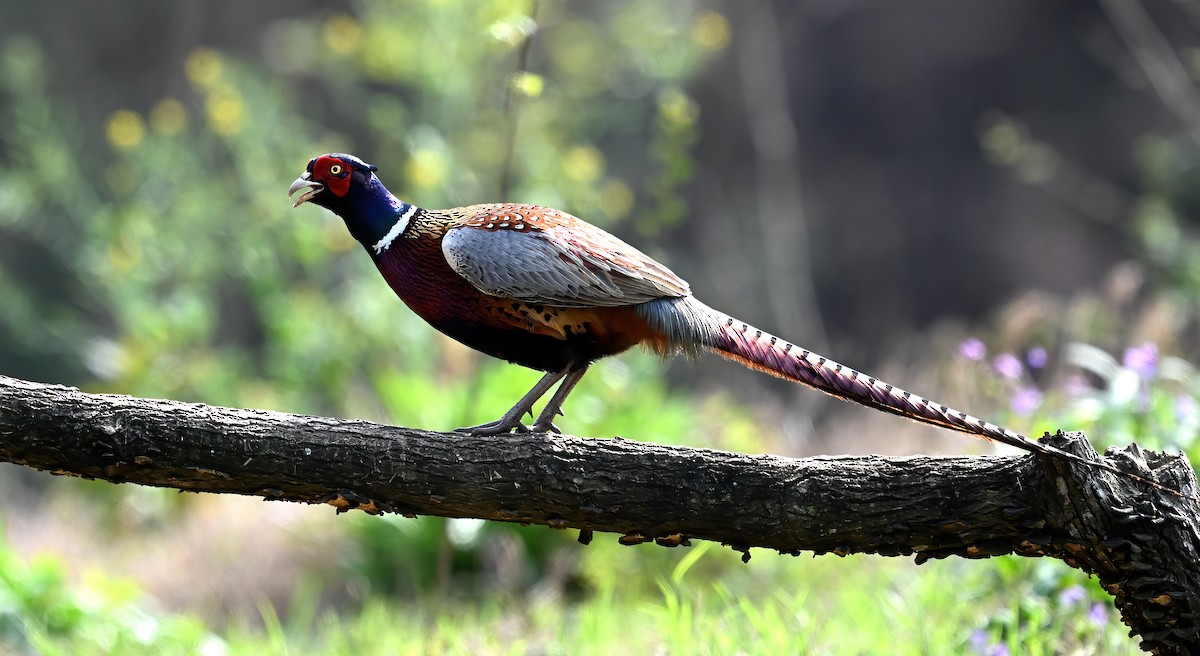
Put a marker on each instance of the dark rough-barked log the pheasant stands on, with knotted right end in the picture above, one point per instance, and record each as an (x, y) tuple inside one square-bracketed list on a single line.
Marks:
[(1142, 544)]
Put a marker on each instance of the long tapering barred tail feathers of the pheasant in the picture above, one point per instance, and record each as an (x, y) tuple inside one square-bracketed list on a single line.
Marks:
[(760, 351)]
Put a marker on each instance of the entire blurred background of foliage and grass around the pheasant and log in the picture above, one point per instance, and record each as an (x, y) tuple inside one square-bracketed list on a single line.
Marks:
[(991, 203)]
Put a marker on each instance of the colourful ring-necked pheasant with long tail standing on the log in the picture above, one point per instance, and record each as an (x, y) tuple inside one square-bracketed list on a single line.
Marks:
[(544, 290)]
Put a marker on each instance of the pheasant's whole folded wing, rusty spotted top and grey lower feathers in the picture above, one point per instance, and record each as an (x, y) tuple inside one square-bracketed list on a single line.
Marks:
[(542, 256)]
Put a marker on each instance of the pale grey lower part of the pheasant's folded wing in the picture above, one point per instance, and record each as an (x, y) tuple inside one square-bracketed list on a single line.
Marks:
[(543, 269)]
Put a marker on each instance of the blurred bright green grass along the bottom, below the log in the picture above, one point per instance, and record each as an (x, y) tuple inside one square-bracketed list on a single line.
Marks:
[(645, 600)]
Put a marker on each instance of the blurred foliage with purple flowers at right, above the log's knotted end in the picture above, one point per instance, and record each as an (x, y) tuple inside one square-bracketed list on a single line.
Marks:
[(1115, 363)]
